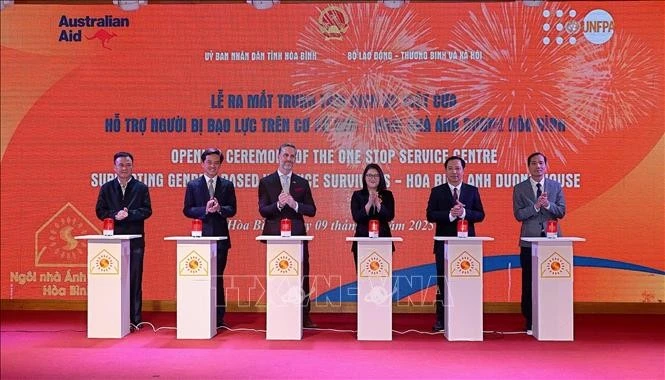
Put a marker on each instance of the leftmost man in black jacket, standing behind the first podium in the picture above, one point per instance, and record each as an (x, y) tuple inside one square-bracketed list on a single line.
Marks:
[(127, 201)]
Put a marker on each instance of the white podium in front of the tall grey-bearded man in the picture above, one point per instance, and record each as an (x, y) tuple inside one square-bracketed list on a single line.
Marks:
[(284, 286)]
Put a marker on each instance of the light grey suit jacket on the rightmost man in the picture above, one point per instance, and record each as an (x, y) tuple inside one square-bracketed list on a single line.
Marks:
[(533, 222)]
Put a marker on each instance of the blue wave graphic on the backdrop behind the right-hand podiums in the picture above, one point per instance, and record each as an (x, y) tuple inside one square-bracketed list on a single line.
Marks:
[(412, 280)]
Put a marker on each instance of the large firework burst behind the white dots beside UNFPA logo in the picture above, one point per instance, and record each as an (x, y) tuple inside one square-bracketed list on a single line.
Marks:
[(523, 81)]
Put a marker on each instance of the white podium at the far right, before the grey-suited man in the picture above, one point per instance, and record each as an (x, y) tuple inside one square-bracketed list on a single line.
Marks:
[(552, 287)]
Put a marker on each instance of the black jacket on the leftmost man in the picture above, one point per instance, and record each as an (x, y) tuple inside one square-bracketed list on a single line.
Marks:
[(137, 201)]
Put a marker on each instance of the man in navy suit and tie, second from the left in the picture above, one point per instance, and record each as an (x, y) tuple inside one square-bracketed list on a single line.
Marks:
[(212, 200)]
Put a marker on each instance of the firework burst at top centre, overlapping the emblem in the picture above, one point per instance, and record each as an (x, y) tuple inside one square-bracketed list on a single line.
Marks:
[(367, 97)]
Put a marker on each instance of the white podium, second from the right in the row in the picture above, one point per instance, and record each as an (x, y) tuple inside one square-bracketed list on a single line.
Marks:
[(463, 260)]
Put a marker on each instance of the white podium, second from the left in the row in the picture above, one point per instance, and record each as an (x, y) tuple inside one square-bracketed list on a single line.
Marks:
[(196, 283)]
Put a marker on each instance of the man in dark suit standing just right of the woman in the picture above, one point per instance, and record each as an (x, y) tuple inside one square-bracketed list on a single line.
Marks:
[(448, 203)]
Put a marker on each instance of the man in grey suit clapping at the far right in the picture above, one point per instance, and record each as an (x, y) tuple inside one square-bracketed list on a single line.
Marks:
[(535, 201)]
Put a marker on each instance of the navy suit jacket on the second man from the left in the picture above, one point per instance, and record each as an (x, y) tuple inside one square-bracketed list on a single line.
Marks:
[(196, 198)]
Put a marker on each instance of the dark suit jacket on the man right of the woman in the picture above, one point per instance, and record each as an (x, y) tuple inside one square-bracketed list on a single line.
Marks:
[(441, 202)]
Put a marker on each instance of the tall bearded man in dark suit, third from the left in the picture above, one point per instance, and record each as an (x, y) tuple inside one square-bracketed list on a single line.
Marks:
[(285, 195)]
